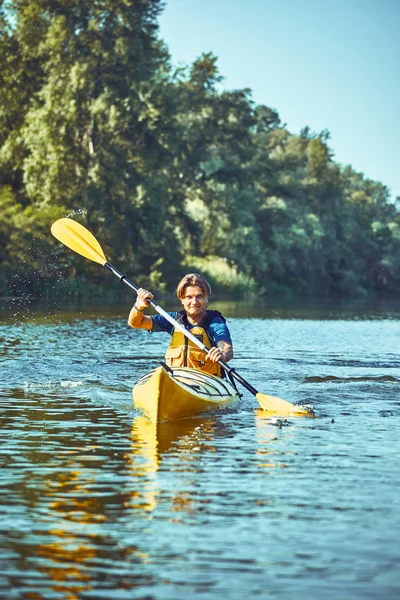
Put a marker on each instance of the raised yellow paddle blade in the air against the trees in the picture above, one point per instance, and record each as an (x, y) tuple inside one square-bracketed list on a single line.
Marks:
[(78, 238)]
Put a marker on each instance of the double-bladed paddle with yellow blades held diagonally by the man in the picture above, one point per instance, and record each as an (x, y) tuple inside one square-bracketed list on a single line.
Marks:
[(78, 238)]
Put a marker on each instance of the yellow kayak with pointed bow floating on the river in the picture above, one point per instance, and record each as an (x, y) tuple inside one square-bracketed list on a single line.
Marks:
[(165, 393)]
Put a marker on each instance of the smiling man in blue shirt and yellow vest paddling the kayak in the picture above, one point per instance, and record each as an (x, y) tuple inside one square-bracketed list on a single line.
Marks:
[(207, 325)]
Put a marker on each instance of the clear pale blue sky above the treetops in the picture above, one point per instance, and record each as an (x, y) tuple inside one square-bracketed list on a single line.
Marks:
[(328, 64)]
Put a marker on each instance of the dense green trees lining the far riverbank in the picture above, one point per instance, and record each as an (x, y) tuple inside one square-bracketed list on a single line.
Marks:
[(170, 171)]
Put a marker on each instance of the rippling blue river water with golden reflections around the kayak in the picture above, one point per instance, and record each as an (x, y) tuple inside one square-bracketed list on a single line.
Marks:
[(96, 502)]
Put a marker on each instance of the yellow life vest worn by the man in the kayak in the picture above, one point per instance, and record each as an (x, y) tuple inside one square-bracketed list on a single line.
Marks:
[(183, 353)]
